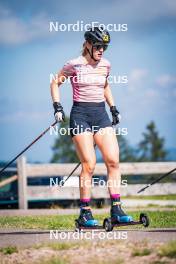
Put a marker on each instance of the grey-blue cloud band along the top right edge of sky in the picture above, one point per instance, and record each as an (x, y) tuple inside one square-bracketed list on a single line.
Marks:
[(137, 11)]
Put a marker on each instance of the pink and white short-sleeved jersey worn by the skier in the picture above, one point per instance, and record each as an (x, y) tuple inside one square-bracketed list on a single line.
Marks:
[(87, 81)]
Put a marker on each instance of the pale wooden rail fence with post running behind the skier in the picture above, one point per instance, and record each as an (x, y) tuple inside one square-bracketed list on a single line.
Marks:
[(25, 170)]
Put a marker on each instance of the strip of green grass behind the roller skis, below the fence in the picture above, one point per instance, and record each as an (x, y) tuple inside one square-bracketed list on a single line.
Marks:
[(158, 219)]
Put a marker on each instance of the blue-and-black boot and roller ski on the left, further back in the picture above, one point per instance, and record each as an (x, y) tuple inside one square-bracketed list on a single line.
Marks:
[(86, 221)]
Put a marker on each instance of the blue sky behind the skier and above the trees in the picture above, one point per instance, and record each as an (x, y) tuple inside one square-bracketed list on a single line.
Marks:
[(29, 53)]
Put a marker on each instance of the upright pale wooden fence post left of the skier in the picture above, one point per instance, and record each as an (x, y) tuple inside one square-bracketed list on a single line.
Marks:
[(22, 183)]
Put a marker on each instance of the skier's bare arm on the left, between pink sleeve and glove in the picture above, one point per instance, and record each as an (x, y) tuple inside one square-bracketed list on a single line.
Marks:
[(56, 83)]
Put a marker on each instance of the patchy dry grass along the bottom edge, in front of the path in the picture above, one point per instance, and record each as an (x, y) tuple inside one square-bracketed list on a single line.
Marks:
[(136, 250)]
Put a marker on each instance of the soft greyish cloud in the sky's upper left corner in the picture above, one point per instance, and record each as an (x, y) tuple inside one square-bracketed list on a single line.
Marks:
[(14, 30)]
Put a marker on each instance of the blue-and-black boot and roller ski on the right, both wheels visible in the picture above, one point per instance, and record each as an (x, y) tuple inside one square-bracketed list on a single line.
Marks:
[(119, 218)]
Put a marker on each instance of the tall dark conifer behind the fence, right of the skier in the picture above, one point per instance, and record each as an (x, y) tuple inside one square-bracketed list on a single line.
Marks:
[(151, 148)]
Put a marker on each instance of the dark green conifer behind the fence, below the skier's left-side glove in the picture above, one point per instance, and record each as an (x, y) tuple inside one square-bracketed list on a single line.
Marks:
[(63, 148)]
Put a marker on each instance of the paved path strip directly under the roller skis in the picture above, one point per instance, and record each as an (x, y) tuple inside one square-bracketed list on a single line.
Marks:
[(25, 238)]
